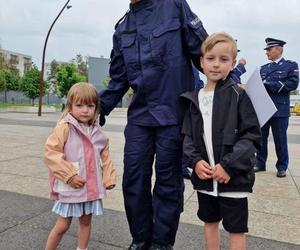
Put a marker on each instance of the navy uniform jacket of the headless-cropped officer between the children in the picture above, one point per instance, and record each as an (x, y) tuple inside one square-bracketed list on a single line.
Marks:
[(153, 46)]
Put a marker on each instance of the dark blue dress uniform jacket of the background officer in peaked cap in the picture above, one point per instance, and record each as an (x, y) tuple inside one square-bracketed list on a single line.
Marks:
[(279, 79)]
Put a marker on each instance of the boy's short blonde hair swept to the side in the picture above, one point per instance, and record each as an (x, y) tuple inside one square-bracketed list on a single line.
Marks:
[(220, 37)]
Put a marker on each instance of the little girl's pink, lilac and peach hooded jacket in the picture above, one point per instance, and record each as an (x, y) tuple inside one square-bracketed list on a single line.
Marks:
[(69, 147)]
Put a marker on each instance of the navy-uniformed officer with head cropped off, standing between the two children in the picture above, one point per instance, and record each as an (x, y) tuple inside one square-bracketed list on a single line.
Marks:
[(153, 46)]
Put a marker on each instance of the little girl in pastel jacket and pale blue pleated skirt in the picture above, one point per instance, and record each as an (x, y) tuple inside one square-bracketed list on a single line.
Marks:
[(80, 168)]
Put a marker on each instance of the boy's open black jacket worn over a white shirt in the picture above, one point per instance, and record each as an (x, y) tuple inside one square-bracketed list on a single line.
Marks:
[(235, 136)]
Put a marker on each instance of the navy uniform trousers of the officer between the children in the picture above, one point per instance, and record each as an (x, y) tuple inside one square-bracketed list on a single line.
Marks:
[(153, 217)]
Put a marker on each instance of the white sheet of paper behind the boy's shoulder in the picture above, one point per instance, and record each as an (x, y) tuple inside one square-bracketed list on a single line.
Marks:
[(262, 102)]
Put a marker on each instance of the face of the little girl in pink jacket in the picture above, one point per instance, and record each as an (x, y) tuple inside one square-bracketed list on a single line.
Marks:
[(84, 113)]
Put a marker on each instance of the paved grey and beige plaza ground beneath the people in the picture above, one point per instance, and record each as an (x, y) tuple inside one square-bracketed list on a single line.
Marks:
[(25, 210)]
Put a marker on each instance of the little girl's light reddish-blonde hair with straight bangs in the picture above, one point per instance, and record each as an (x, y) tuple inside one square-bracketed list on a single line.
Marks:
[(82, 93)]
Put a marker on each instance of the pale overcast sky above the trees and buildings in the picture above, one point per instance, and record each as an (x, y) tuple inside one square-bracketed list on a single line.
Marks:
[(87, 27)]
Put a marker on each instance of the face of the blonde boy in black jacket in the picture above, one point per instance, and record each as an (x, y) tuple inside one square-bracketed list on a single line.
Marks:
[(218, 62)]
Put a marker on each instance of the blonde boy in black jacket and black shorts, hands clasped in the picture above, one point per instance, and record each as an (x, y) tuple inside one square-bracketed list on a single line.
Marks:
[(222, 134)]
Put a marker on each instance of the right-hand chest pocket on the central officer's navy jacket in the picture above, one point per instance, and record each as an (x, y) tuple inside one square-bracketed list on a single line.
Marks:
[(166, 39)]
